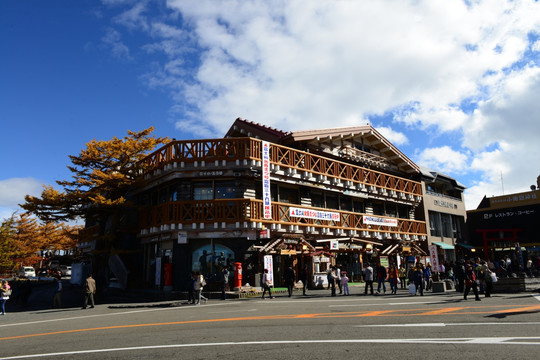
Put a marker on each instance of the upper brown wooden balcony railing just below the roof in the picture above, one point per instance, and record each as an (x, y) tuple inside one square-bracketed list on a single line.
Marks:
[(231, 149)]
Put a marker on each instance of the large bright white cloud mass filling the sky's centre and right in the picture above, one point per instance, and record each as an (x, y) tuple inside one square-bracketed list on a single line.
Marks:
[(447, 68)]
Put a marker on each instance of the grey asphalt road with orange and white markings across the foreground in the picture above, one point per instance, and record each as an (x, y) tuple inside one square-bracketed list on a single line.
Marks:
[(435, 326)]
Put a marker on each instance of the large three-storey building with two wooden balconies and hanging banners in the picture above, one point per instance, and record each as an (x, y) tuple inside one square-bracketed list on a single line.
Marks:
[(261, 197)]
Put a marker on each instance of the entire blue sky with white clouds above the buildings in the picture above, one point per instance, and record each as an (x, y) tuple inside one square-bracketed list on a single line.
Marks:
[(453, 84)]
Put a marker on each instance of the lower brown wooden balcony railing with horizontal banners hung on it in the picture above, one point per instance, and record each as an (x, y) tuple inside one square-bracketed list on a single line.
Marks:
[(232, 211)]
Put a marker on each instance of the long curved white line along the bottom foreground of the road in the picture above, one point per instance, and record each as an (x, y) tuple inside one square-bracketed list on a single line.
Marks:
[(535, 341)]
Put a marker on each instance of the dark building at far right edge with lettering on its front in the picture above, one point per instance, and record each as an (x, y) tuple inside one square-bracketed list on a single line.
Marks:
[(507, 226)]
